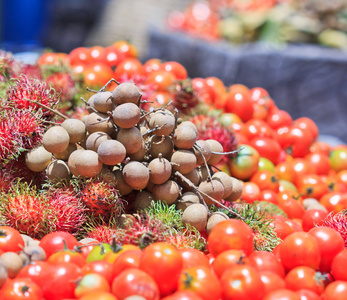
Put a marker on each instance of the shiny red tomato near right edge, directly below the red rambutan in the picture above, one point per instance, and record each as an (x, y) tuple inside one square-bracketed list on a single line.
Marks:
[(330, 244)]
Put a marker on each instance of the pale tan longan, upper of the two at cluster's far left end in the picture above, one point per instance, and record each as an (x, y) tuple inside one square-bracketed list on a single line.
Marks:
[(56, 139)]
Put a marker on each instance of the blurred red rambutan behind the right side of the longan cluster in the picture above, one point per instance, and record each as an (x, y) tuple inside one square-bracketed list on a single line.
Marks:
[(209, 127)]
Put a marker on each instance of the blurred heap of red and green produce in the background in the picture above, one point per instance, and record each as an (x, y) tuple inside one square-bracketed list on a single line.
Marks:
[(275, 22)]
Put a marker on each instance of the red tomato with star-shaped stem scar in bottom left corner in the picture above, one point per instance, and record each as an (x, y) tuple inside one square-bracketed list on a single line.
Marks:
[(21, 288)]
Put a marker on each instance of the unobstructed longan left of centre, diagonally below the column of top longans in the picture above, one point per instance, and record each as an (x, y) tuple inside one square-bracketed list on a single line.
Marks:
[(111, 152)]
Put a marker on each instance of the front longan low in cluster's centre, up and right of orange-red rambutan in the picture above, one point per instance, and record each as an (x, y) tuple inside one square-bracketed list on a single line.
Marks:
[(136, 175)]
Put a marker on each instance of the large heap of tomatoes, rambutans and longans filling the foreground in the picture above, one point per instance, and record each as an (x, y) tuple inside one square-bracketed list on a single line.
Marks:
[(123, 179)]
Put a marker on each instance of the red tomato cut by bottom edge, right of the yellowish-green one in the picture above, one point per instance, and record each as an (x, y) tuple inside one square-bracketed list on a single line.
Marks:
[(134, 281)]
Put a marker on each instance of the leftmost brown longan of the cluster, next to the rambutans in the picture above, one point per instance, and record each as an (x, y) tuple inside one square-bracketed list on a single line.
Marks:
[(37, 159)]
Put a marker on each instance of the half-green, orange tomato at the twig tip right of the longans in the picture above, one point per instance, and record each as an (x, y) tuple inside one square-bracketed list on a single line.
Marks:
[(245, 162)]
